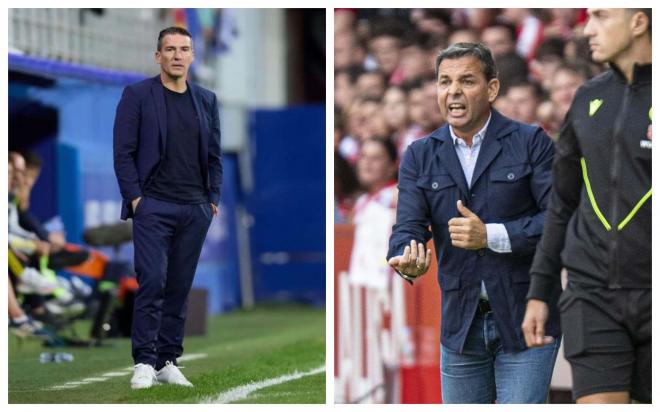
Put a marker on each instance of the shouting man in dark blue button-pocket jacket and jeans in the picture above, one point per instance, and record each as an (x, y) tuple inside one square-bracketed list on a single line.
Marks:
[(481, 183)]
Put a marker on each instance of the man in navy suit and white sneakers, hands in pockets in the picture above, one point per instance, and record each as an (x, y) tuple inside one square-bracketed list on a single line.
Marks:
[(168, 165)]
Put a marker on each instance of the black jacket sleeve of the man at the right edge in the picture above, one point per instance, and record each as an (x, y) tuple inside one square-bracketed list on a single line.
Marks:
[(564, 199)]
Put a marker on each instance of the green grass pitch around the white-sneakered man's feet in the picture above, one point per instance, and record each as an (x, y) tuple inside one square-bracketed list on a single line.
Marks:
[(242, 347)]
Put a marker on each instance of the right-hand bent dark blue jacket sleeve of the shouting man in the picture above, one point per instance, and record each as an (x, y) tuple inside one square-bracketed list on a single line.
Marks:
[(524, 233)]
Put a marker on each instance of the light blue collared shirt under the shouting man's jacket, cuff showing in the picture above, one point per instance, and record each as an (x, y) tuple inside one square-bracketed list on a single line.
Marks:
[(498, 238)]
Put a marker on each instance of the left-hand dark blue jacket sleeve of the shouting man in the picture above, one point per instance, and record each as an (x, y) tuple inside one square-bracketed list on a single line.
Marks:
[(412, 214)]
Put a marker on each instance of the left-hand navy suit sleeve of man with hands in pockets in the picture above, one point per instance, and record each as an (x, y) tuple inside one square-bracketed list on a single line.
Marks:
[(125, 144)]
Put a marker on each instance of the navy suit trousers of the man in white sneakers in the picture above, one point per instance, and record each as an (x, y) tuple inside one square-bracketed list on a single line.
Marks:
[(168, 239)]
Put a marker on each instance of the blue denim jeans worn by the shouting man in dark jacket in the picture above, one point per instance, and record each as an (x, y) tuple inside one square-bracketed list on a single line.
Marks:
[(483, 373)]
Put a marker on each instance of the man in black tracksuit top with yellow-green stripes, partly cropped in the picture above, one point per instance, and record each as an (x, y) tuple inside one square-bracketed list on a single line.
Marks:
[(598, 223)]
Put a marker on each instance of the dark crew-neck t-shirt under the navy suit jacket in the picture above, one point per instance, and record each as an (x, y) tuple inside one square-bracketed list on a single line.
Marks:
[(179, 176)]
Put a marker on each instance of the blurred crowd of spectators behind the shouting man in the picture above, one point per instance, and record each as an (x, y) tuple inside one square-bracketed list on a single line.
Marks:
[(385, 82)]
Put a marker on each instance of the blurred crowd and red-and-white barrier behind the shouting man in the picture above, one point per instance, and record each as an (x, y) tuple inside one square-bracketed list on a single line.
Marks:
[(387, 333)]
